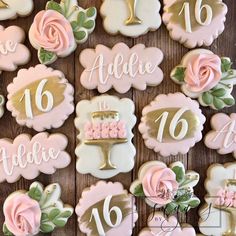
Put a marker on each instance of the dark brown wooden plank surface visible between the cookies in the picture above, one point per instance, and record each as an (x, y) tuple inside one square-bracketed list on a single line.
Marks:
[(199, 158)]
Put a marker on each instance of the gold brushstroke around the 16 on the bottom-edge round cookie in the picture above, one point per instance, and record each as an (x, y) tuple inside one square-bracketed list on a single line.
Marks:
[(122, 201)]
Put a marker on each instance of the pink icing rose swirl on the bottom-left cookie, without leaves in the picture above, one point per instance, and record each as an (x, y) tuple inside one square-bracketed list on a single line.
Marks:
[(22, 215)]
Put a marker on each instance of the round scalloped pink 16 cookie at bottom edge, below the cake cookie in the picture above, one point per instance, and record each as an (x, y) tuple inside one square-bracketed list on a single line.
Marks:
[(106, 209)]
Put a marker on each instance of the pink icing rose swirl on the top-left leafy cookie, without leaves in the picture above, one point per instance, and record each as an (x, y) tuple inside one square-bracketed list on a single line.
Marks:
[(52, 31)]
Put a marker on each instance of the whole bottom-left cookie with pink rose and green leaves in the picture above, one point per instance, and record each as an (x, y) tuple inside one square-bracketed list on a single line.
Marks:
[(34, 211)]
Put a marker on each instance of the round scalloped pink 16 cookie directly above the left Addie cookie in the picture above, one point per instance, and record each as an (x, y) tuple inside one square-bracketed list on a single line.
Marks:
[(40, 98)]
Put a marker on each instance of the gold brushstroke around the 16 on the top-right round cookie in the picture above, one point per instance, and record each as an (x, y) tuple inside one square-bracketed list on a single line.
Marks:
[(179, 19)]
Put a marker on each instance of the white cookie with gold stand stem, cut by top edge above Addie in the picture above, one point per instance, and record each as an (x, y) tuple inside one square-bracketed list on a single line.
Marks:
[(131, 18)]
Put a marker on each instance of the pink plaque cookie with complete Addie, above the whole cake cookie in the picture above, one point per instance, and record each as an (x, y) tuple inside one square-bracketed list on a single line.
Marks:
[(121, 67)]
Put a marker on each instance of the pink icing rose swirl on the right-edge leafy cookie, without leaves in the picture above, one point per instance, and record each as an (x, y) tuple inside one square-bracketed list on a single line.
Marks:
[(203, 72)]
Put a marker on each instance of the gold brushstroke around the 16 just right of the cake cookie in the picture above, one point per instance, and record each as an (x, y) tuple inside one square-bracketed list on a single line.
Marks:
[(189, 116)]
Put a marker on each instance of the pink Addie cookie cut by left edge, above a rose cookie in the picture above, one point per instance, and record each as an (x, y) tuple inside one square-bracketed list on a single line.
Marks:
[(28, 156)]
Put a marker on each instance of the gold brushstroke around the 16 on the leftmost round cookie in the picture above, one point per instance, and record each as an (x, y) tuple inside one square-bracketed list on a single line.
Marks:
[(53, 85)]
